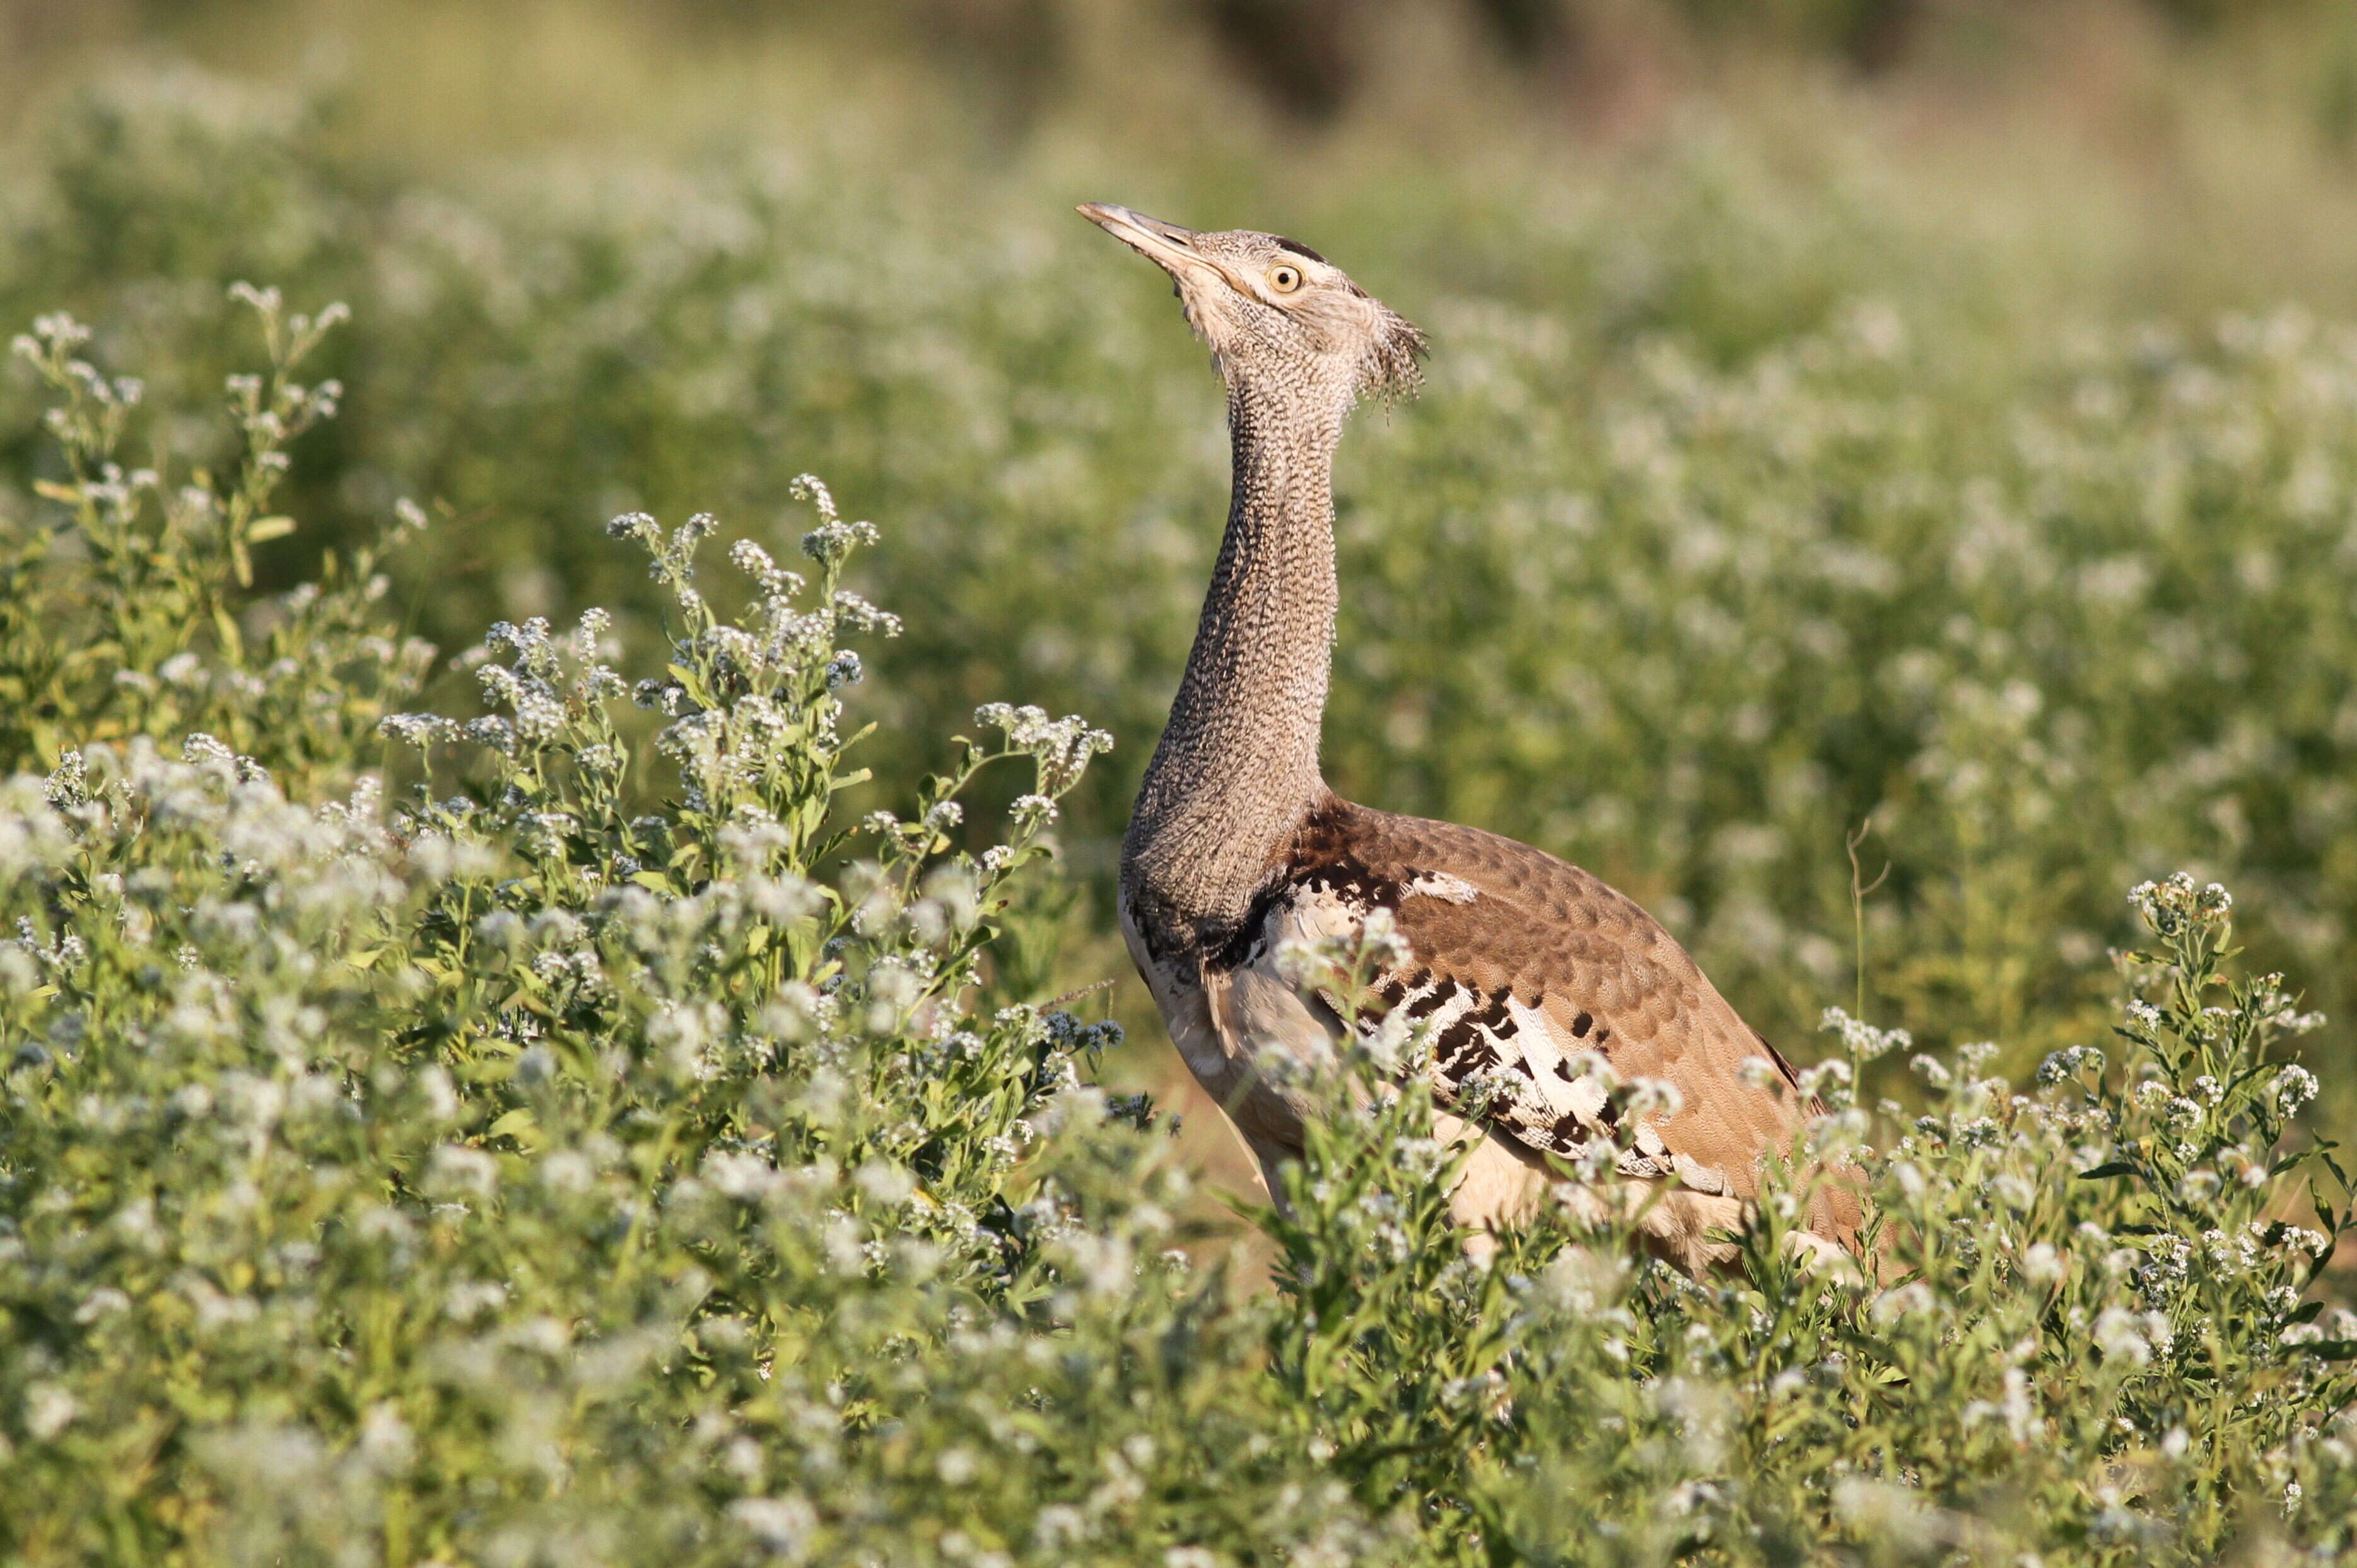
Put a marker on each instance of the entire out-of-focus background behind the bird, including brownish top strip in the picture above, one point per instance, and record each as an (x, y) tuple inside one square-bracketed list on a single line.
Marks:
[(1932, 421)]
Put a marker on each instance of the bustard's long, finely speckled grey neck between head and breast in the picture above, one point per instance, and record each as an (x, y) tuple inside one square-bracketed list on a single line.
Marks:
[(1239, 763)]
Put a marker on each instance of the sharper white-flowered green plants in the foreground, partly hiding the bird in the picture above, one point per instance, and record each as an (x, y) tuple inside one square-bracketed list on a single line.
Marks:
[(513, 1175)]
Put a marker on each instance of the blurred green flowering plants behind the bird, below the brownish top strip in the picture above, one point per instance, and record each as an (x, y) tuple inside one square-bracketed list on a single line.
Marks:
[(1736, 515)]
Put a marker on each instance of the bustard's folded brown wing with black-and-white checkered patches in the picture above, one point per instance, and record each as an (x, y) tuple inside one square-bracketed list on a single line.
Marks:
[(1517, 966)]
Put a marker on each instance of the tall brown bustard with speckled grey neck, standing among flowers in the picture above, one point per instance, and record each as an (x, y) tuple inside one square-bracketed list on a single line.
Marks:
[(1517, 968)]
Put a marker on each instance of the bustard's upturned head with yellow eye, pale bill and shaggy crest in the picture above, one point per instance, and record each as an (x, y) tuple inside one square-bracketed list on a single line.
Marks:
[(1279, 315)]
